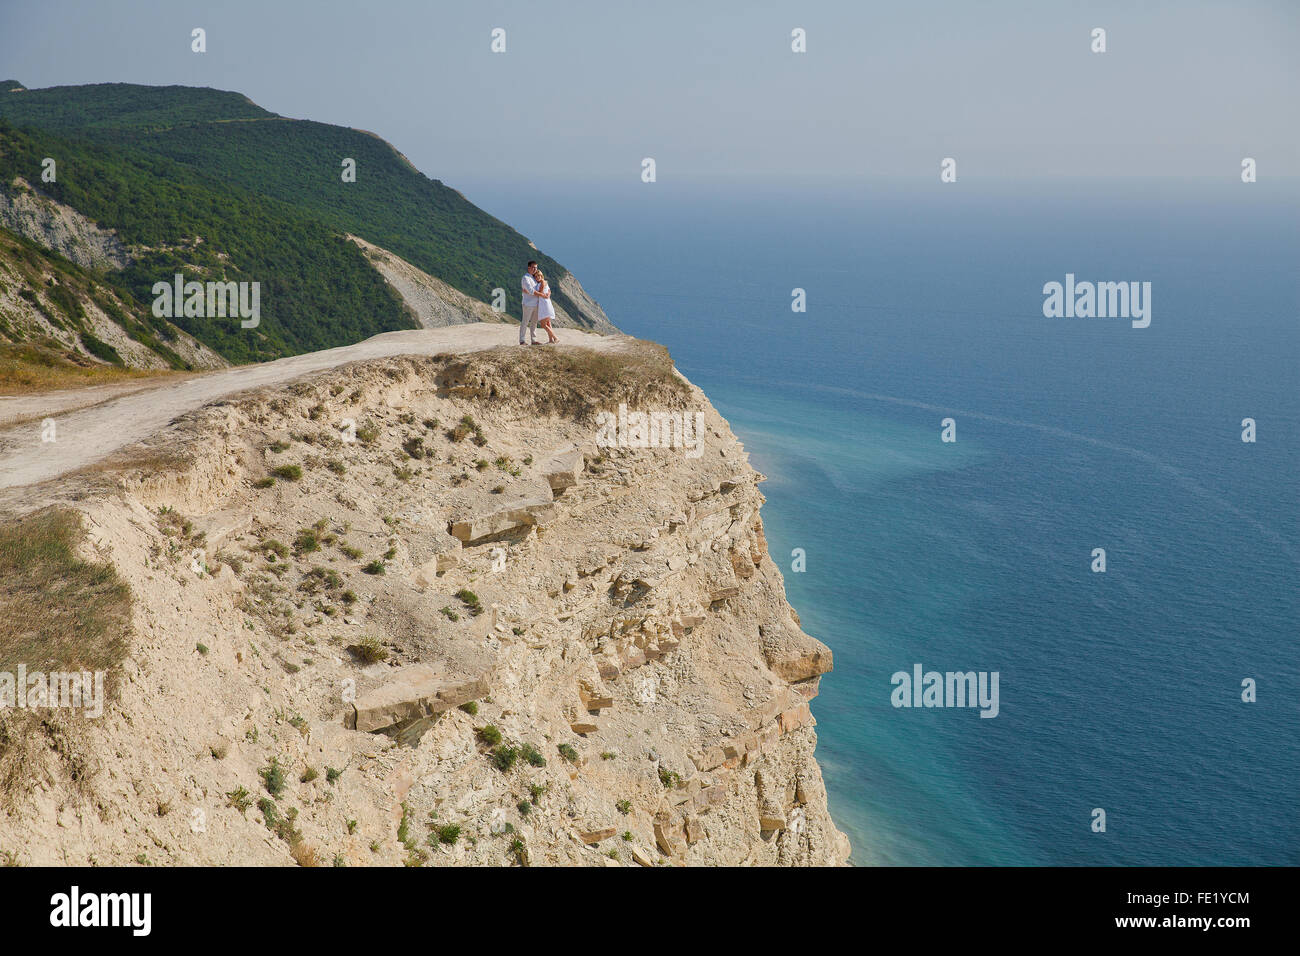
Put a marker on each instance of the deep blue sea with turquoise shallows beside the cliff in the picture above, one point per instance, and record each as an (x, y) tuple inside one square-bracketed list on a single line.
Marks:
[(1120, 690)]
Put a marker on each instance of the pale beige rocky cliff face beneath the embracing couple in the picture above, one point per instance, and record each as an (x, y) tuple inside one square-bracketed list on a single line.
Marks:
[(419, 611)]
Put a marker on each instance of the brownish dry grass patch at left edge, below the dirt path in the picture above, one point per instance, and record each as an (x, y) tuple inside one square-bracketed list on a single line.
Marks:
[(58, 613)]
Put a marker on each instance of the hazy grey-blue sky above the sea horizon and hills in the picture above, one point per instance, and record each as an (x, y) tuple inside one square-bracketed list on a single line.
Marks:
[(712, 90)]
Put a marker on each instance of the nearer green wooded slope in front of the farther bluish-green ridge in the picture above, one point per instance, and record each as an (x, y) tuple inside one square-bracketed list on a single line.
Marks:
[(318, 291)]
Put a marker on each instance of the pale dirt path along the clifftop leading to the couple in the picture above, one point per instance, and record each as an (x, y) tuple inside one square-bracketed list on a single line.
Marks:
[(98, 429)]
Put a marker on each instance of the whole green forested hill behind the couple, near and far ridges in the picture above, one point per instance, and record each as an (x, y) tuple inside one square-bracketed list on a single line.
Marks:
[(205, 181)]
